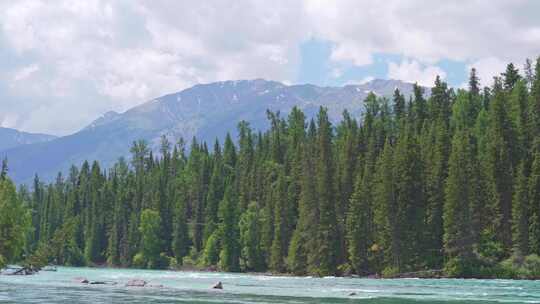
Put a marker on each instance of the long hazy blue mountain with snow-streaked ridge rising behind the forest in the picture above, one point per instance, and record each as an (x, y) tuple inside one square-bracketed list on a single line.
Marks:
[(207, 111)]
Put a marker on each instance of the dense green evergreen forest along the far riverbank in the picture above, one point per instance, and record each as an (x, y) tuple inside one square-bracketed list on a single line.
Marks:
[(450, 181)]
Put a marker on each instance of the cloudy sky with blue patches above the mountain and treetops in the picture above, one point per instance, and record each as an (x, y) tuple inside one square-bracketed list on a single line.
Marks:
[(65, 63)]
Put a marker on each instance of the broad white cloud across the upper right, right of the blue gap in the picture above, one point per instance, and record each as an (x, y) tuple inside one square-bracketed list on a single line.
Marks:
[(428, 30)]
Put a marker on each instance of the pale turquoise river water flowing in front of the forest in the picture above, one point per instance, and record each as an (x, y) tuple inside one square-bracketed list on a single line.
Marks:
[(195, 287)]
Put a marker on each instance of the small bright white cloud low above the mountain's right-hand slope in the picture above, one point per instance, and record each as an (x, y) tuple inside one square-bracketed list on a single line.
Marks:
[(413, 71)]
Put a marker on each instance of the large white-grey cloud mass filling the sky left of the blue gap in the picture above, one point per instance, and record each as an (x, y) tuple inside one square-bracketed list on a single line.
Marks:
[(94, 56)]
